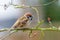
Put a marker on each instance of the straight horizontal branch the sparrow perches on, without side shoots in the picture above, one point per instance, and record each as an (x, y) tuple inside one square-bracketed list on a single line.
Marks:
[(27, 29)]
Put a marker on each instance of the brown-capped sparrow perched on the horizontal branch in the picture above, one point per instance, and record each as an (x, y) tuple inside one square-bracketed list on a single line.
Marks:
[(23, 21)]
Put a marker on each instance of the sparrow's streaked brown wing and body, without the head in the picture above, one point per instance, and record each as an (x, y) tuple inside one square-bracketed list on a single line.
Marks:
[(20, 22)]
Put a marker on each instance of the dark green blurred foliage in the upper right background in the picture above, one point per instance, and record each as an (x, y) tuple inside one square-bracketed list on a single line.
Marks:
[(53, 10)]
